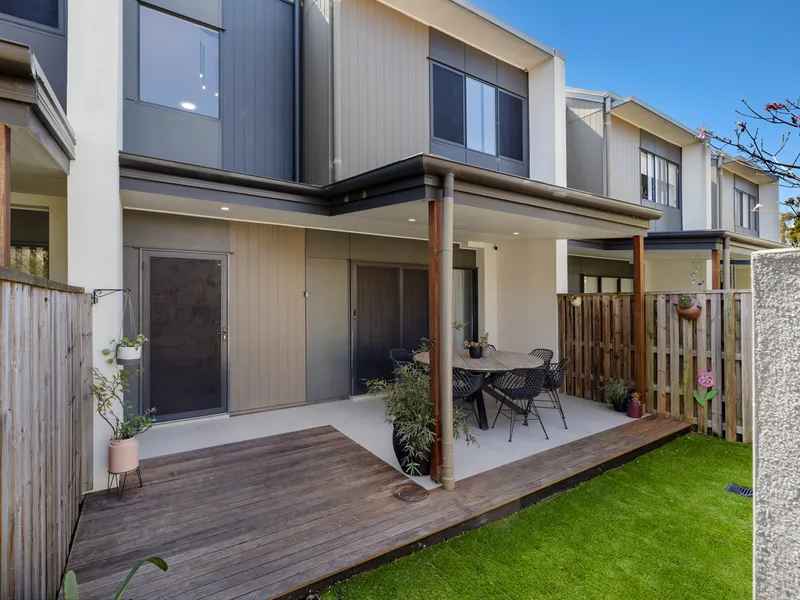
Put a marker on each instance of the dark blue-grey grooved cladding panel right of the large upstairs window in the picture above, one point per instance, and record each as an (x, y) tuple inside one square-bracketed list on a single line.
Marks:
[(257, 87)]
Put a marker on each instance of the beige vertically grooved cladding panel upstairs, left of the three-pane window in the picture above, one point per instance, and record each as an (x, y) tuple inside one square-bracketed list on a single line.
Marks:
[(385, 86)]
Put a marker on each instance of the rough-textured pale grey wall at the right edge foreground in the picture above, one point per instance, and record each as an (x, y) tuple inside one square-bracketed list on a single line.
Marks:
[(776, 304)]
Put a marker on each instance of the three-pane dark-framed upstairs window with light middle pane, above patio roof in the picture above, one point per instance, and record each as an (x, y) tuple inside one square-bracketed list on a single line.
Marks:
[(476, 115)]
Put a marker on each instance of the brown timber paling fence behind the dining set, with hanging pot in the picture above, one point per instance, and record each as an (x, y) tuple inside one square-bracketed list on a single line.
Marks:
[(597, 336)]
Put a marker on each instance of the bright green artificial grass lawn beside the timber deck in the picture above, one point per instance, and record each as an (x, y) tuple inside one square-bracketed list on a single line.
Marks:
[(660, 527)]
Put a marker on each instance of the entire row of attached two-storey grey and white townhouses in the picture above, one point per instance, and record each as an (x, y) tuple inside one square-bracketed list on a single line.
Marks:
[(270, 179)]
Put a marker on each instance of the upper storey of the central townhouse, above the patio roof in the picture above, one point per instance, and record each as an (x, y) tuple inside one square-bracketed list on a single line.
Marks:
[(223, 84)]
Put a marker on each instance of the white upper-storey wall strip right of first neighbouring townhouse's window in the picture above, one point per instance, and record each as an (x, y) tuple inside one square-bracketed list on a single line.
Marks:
[(696, 186)]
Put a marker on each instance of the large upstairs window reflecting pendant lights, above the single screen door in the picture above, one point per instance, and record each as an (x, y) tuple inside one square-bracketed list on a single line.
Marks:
[(178, 63)]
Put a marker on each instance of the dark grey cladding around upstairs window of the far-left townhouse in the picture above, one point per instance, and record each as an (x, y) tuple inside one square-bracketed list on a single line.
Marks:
[(48, 44)]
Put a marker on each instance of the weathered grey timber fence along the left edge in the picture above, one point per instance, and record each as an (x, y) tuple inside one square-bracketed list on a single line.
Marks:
[(46, 427)]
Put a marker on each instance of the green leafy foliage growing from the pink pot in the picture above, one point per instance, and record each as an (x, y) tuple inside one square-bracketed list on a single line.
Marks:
[(112, 390)]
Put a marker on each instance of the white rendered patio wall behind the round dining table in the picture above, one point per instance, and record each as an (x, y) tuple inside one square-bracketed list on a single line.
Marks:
[(527, 284)]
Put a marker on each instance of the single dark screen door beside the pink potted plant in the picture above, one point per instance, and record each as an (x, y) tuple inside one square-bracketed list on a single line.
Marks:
[(185, 319)]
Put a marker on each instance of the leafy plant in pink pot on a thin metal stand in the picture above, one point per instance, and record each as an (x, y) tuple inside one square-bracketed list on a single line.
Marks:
[(123, 447)]
